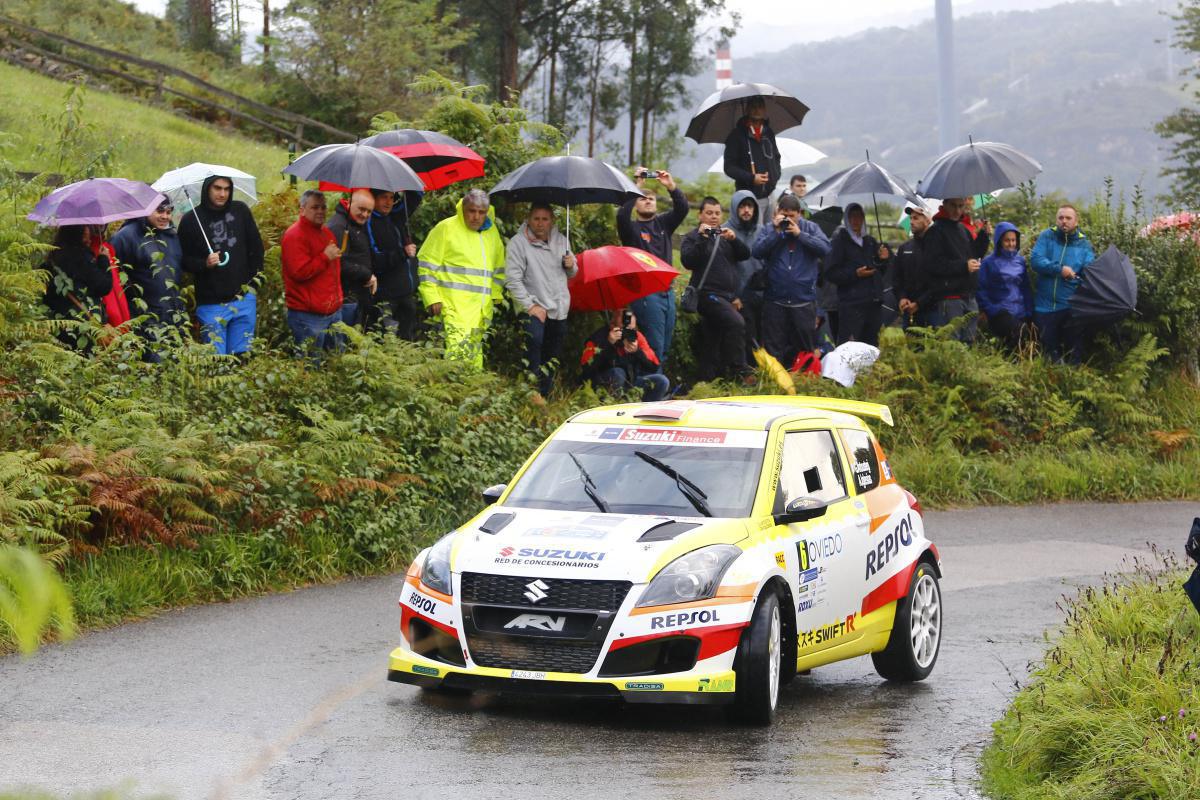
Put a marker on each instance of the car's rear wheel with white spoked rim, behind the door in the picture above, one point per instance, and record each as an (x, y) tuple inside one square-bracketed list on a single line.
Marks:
[(917, 634)]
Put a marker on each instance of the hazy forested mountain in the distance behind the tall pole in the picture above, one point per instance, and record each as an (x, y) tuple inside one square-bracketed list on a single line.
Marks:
[(1078, 87)]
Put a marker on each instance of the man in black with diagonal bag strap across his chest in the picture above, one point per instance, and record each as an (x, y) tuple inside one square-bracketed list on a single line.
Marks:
[(716, 275)]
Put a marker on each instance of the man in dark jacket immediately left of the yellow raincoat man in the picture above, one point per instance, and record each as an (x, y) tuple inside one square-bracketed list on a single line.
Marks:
[(394, 264)]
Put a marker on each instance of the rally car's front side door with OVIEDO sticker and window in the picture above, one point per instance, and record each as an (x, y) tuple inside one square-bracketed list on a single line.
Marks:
[(825, 552)]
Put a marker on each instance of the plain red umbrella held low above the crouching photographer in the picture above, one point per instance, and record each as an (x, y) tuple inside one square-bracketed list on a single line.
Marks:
[(613, 278)]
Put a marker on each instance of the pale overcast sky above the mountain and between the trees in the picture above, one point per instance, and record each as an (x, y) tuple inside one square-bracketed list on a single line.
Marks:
[(765, 26)]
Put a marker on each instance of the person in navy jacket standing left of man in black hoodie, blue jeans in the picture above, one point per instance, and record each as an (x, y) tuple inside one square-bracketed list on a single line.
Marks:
[(152, 251)]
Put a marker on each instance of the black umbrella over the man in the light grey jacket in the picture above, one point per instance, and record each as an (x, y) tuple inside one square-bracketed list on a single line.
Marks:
[(567, 181)]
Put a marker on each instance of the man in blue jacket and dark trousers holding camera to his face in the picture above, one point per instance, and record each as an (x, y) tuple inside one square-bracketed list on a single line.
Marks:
[(790, 249)]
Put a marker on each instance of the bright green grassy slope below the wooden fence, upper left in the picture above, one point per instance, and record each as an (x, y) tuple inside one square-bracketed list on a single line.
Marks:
[(145, 142)]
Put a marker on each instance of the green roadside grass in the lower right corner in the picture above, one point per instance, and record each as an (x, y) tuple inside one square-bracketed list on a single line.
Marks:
[(1114, 713)]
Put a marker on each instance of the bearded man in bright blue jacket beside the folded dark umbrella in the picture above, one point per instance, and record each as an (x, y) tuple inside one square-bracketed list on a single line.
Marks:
[(1059, 258)]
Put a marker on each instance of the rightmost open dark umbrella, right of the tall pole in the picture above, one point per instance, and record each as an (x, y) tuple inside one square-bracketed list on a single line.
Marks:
[(977, 169)]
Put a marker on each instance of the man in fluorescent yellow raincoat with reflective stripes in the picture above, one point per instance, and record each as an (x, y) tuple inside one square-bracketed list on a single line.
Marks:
[(463, 275)]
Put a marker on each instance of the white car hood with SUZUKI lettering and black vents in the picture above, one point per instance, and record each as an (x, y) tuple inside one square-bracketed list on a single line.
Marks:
[(580, 545)]
